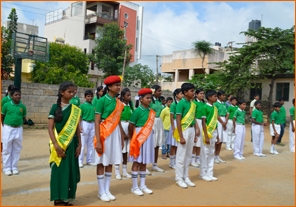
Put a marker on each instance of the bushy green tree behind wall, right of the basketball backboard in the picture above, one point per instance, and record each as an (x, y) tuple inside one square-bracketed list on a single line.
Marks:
[(66, 63)]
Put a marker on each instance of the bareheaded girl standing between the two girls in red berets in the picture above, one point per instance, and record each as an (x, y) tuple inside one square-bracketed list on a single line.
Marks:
[(125, 117)]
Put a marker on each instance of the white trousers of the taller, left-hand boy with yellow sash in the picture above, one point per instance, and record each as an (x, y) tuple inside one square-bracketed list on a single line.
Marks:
[(184, 153)]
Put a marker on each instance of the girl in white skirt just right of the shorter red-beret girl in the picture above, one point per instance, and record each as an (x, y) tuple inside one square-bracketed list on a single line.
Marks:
[(158, 130)]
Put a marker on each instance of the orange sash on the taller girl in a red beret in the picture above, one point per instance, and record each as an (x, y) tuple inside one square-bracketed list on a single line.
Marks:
[(109, 124)]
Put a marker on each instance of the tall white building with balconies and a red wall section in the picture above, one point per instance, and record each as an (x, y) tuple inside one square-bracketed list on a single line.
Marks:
[(77, 26)]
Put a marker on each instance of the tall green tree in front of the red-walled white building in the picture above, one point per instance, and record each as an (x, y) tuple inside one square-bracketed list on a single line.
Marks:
[(109, 50)]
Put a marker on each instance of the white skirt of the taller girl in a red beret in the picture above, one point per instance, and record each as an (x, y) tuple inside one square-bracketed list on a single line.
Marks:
[(112, 154)]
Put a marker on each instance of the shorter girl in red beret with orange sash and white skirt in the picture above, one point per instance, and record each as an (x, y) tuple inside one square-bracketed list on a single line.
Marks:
[(141, 146)]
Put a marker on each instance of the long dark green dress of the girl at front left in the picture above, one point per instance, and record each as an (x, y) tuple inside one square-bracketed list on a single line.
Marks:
[(64, 179)]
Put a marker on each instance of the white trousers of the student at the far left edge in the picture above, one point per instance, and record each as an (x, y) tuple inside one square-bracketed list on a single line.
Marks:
[(12, 145)]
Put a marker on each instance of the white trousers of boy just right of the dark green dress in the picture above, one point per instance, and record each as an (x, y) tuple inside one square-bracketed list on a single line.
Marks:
[(87, 141)]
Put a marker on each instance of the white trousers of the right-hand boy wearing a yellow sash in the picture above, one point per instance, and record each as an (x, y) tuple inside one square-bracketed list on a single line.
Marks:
[(207, 153)]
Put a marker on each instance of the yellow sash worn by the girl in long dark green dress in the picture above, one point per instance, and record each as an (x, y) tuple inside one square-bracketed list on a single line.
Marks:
[(65, 137)]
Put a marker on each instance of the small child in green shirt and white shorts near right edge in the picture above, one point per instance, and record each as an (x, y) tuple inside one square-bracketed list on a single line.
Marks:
[(275, 126)]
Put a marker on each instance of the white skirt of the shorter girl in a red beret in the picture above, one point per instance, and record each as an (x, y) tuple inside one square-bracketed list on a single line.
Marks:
[(146, 150)]
